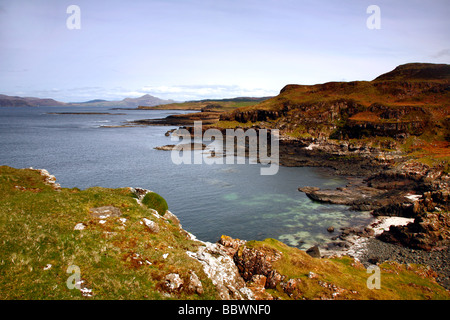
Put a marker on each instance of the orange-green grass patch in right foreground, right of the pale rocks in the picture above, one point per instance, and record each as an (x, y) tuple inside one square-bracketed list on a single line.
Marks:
[(397, 281)]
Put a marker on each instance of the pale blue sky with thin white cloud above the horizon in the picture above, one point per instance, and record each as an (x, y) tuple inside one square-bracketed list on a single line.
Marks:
[(198, 49)]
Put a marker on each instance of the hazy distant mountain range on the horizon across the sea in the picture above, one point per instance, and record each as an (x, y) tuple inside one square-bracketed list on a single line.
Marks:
[(15, 101)]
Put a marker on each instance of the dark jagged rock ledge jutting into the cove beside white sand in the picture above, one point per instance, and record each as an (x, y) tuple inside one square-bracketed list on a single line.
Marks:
[(410, 190)]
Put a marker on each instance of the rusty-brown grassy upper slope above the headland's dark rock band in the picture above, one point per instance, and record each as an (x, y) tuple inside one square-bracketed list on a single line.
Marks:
[(410, 84)]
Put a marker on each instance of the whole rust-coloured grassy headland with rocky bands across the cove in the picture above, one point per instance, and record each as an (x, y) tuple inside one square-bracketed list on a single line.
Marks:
[(407, 109)]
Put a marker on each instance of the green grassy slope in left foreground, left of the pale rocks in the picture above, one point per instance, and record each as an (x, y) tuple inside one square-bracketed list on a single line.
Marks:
[(37, 229)]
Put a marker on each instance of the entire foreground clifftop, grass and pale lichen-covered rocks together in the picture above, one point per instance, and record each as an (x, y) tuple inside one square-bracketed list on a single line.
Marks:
[(100, 243)]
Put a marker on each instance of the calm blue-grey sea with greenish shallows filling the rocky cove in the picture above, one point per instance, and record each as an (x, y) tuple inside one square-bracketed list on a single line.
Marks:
[(210, 200)]
